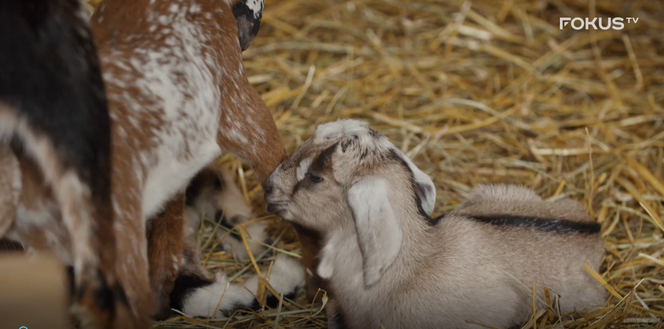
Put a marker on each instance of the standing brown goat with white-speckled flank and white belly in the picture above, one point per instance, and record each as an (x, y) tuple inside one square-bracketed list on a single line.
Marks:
[(178, 97)]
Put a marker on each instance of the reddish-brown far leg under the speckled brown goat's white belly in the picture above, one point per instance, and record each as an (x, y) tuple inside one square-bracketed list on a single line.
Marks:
[(165, 252)]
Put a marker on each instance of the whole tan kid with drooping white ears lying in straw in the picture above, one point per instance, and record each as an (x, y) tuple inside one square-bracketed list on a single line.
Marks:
[(389, 263)]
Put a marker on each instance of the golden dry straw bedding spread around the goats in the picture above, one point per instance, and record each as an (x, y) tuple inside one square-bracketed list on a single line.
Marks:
[(479, 92)]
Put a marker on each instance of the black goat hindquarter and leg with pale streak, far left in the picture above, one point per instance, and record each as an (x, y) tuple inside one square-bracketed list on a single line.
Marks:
[(53, 106)]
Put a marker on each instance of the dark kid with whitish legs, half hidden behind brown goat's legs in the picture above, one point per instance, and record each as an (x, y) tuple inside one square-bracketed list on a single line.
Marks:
[(214, 194)]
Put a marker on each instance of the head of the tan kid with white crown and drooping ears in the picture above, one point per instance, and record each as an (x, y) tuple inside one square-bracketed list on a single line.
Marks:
[(349, 177)]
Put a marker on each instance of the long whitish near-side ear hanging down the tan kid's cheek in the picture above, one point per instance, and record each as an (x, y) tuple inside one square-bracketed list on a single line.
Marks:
[(378, 230)]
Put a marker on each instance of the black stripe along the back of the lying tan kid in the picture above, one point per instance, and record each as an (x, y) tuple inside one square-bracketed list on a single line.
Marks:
[(558, 226)]
